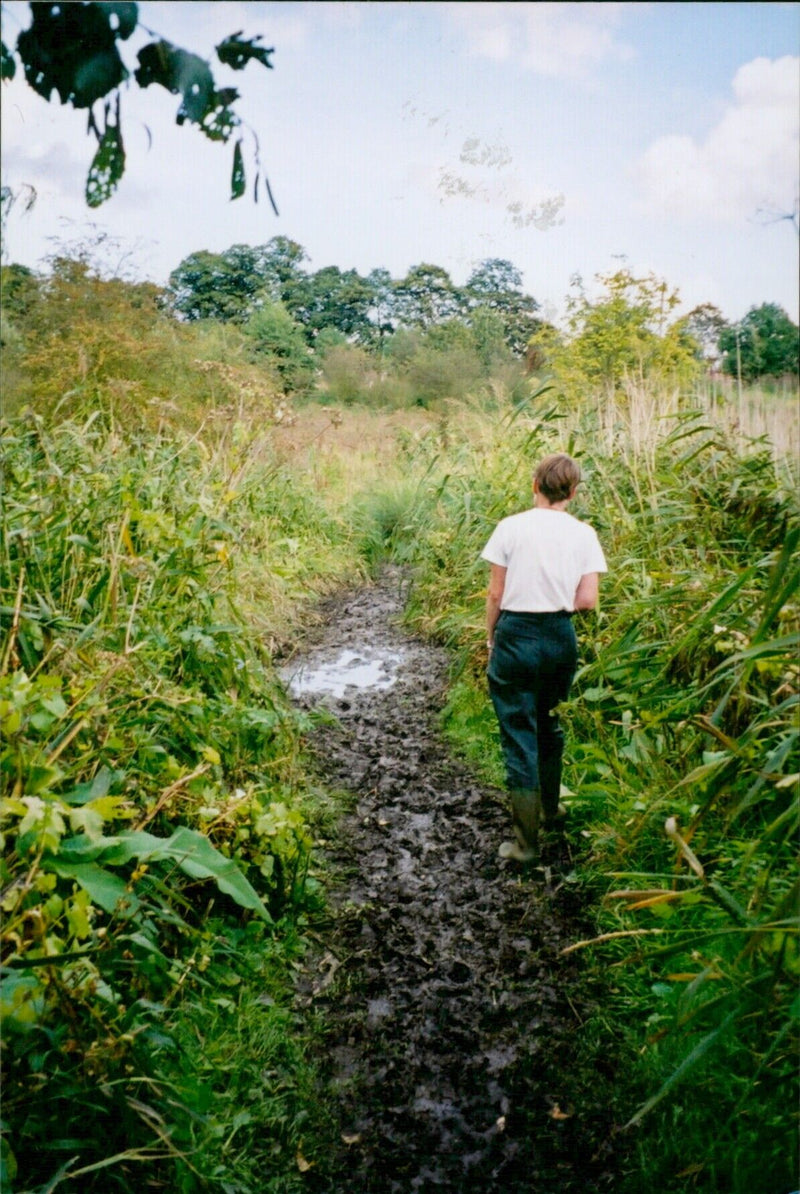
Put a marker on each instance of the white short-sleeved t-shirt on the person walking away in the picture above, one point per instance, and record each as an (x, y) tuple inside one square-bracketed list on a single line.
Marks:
[(546, 553)]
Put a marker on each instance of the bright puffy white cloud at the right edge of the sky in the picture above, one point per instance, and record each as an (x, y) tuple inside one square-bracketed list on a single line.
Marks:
[(749, 161)]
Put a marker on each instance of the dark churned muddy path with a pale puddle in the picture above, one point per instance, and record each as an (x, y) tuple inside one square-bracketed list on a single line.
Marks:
[(454, 1057)]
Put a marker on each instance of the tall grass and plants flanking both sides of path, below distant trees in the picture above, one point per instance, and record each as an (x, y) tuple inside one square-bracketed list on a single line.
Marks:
[(147, 582)]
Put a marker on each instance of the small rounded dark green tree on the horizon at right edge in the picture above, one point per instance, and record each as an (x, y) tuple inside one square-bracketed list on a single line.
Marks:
[(765, 344)]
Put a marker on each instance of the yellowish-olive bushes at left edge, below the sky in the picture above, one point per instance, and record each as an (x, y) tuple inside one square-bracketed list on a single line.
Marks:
[(87, 347)]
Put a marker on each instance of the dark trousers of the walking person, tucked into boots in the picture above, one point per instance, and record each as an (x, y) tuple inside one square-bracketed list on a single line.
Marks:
[(531, 670)]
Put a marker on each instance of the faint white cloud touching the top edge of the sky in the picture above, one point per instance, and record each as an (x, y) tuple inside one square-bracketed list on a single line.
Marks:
[(553, 40)]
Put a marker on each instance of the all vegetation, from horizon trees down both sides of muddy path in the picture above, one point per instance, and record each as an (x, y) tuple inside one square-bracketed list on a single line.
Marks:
[(177, 493)]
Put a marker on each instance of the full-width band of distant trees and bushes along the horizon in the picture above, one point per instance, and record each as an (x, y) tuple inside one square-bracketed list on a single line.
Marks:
[(421, 338)]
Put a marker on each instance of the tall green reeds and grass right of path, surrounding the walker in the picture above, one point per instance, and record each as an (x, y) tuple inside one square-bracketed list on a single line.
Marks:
[(684, 761)]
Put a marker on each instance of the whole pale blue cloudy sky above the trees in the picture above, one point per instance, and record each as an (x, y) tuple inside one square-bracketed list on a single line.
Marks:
[(565, 138)]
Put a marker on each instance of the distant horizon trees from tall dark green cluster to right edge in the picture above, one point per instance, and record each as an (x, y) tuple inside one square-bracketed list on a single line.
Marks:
[(632, 325)]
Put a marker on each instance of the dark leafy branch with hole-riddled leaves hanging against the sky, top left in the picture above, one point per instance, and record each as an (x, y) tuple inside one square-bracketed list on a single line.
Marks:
[(73, 50)]
